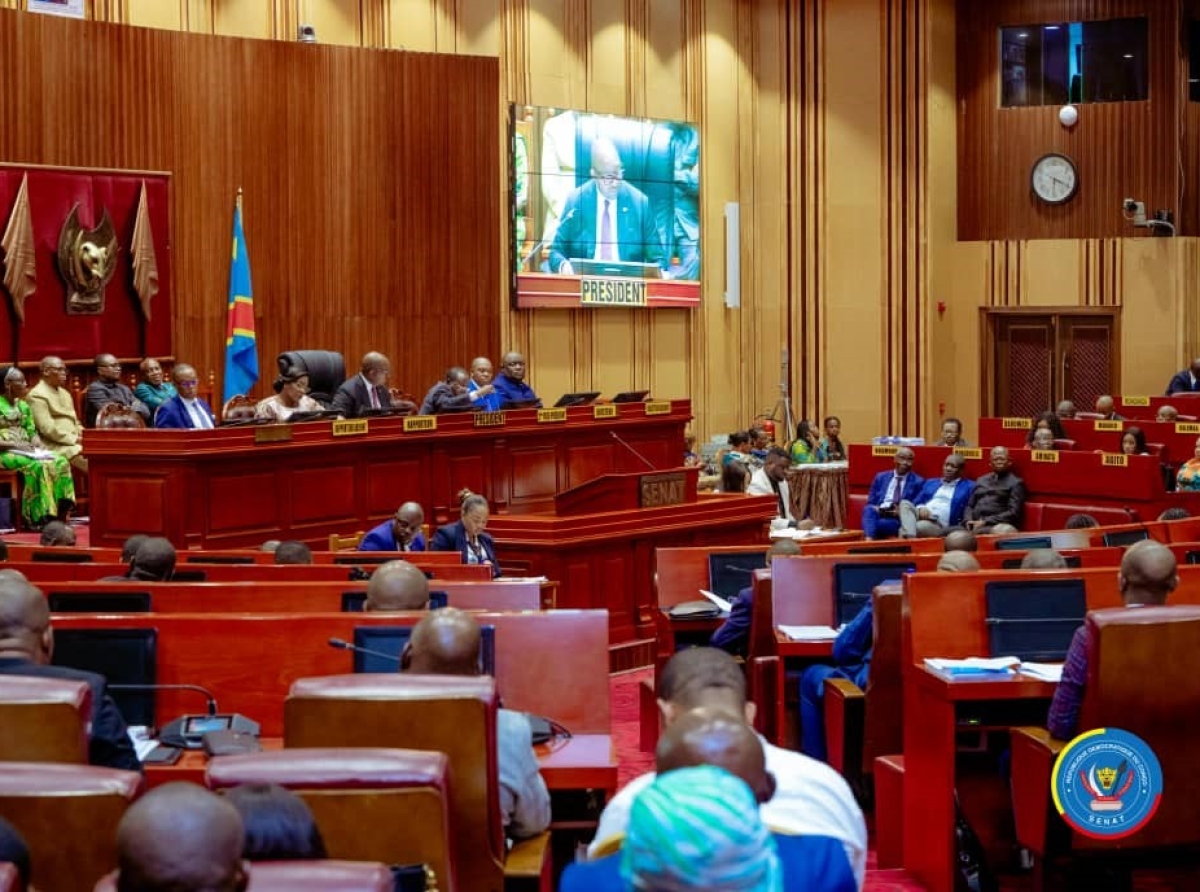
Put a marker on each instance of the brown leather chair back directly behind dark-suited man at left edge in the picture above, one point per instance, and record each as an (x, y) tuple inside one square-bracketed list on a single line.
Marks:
[(44, 720)]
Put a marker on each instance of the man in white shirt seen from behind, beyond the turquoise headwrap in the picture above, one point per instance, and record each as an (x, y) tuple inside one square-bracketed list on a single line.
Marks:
[(811, 798)]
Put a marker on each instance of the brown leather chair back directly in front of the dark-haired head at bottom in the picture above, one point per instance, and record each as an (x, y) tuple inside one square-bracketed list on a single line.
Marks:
[(370, 804)]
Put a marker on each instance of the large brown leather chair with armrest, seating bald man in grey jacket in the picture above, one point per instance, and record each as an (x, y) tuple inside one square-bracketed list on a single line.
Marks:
[(451, 715)]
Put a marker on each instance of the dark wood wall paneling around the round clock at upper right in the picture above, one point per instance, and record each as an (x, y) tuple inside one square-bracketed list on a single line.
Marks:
[(1123, 149)]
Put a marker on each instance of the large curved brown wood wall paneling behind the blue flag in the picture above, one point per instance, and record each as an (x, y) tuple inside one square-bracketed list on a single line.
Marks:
[(322, 237)]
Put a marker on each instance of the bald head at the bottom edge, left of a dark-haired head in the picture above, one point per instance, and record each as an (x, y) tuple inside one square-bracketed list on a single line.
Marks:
[(182, 839)]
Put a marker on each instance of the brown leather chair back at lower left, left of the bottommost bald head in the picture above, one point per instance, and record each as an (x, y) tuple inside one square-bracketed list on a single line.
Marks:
[(68, 816)]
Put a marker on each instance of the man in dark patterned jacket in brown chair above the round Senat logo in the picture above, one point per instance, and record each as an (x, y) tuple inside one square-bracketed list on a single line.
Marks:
[(1148, 577)]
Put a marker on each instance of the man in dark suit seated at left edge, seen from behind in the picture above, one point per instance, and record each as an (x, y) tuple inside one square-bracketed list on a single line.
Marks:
[(27, 643)]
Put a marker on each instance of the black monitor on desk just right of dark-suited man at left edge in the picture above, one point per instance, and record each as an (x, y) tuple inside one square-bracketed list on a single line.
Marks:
[(123, 657)]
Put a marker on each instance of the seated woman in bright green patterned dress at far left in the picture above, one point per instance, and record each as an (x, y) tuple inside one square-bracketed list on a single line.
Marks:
[(49, 490)]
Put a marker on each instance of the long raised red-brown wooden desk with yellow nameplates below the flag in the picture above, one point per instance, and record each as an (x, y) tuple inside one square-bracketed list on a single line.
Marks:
[(236, 487)]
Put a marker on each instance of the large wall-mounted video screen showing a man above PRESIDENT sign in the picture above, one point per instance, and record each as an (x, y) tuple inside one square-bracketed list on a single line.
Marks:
[(605, 211)]
